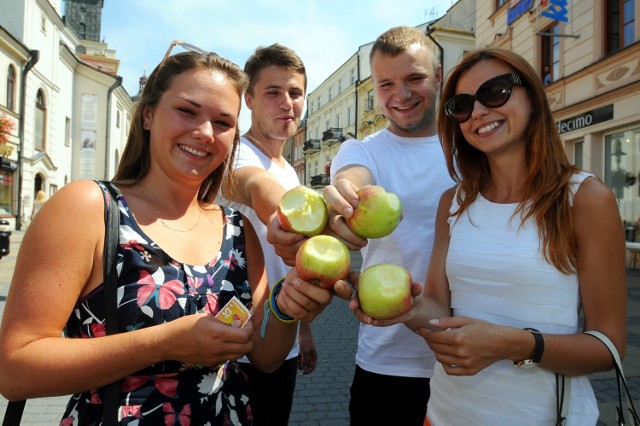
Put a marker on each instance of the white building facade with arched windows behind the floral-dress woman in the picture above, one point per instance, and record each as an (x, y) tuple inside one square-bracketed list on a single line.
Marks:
[(70, 114)]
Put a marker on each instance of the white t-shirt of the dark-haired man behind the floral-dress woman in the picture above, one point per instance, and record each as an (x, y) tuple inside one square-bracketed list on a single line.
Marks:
[(249, 155)]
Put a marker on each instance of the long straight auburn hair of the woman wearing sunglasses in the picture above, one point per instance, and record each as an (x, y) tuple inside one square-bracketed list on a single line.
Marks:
[(546, 186)]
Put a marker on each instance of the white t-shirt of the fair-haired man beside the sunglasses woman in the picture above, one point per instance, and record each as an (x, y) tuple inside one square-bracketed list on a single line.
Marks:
[(415, 170)]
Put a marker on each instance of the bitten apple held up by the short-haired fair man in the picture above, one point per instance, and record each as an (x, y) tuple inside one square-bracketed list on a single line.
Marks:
[(378, 212)]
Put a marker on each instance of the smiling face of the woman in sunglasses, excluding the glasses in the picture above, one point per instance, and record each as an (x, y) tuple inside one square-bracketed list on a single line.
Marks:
[(494, 130)]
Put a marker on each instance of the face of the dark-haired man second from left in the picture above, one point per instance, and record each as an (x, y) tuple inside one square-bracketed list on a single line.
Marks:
[(276, 102)]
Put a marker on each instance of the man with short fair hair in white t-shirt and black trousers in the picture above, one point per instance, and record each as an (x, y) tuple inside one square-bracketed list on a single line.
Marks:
[(393, 364)]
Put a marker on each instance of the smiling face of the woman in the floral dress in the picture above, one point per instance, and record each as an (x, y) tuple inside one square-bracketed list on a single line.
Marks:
[(193, 126)]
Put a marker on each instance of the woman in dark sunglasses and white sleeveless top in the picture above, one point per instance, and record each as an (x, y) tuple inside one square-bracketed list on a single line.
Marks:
[(523, 242)]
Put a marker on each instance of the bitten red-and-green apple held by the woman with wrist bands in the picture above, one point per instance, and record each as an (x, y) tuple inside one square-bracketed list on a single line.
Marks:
[(323, 260)]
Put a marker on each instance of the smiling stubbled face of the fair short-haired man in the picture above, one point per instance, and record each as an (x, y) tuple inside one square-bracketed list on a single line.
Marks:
[(406, 87)]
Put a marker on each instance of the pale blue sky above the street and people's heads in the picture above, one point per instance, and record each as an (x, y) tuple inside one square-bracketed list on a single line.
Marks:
[(324, 33)]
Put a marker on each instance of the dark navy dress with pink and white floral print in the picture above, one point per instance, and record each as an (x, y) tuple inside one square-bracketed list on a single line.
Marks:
[(153, 288)]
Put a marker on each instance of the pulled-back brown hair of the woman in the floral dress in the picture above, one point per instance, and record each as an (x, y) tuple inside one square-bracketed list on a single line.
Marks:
[(136, 160)]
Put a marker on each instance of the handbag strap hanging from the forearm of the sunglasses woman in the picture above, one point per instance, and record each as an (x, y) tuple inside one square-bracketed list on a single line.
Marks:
[(563, 386)]
